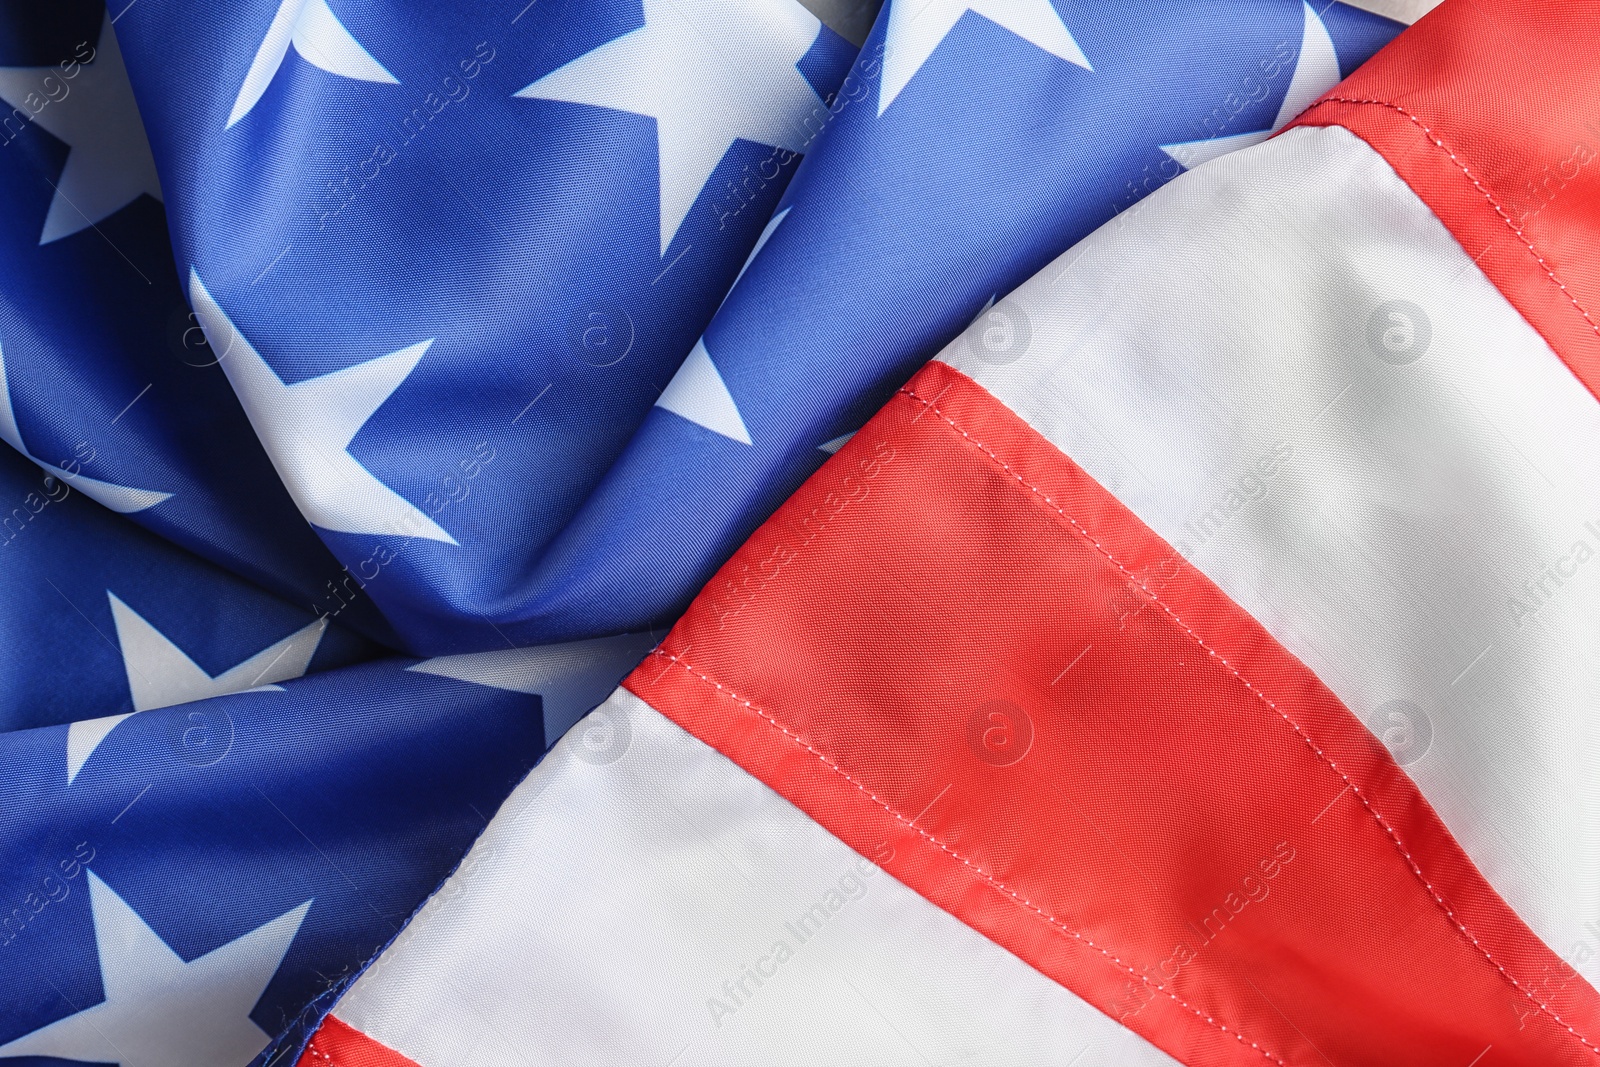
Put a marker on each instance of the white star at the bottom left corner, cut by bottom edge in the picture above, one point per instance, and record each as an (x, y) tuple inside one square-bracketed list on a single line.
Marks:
[(161, 1012)]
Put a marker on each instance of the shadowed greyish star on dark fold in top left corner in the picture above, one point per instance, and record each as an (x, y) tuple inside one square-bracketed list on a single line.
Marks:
[(110, 164)]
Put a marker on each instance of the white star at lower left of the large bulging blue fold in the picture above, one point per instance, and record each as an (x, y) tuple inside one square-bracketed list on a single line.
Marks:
[(308, 430)]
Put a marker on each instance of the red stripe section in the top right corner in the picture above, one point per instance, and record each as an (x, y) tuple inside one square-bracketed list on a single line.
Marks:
[(1487, 110)]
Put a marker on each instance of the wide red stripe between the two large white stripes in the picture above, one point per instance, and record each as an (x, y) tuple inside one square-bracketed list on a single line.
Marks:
[(974, 665)]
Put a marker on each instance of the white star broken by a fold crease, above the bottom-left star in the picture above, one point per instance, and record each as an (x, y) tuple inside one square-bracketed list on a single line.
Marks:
[(161, 674)]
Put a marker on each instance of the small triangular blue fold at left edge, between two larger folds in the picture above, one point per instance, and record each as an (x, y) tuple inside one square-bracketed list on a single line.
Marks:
[(105, 618)]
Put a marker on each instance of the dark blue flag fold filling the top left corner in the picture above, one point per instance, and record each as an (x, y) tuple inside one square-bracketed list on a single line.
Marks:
[(105, 375)]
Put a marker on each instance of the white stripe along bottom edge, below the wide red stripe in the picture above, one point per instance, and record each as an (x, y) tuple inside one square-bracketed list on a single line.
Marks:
[(638, 877)]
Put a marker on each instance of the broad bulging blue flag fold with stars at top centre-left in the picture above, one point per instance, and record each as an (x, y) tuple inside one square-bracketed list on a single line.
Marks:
[(449, 257)]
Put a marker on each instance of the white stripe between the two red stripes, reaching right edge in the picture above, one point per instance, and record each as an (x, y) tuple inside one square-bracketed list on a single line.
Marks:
[(1236, 364)]
